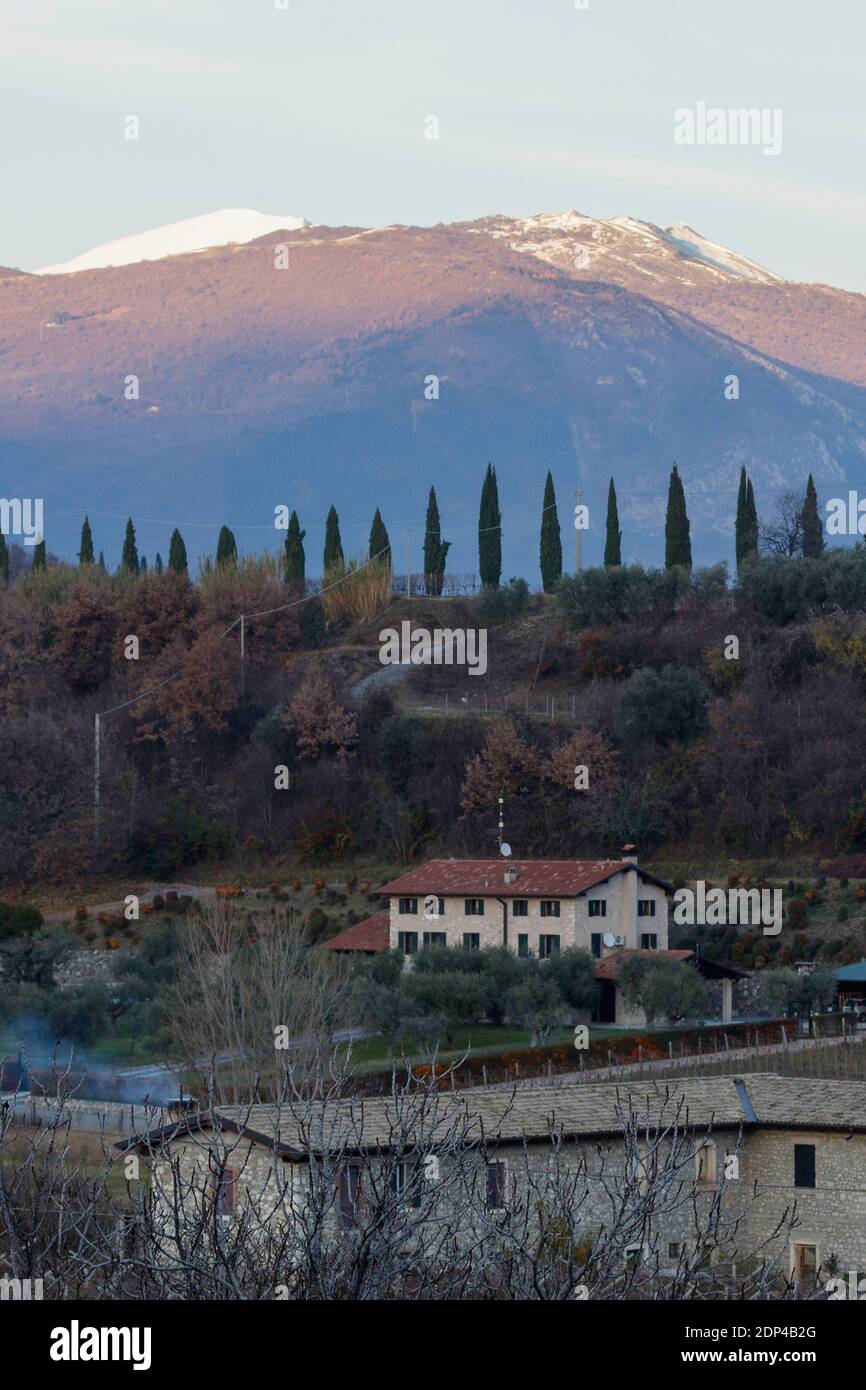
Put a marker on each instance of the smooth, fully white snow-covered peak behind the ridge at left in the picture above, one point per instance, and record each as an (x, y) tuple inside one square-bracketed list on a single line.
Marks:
[(194, 234)]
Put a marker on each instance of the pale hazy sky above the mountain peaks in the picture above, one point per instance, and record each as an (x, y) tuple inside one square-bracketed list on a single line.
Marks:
[(319, 111)]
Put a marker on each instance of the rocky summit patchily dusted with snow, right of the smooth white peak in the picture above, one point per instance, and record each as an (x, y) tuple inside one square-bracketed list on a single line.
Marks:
[(597, 247)]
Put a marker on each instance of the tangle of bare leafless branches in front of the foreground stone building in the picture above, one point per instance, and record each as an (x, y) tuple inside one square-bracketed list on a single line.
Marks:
[(209, 1214)]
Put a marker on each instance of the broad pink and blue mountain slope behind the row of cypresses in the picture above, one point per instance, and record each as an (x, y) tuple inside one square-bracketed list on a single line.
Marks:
[(307, 386)]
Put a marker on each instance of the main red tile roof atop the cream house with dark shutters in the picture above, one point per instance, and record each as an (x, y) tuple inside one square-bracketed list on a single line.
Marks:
[(475, 878)]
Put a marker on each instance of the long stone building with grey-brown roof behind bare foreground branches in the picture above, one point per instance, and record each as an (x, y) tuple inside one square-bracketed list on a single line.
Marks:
[(782, 1157)]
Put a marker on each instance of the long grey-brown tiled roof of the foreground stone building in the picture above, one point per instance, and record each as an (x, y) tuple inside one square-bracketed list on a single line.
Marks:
[(579, 1111)]
